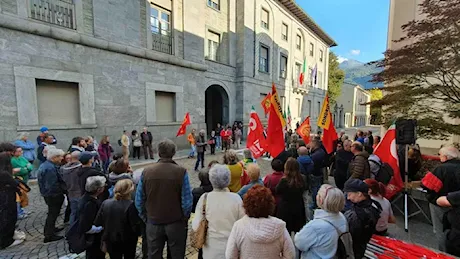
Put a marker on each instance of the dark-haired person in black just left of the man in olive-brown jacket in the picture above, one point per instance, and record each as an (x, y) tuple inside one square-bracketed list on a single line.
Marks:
[(343, 158)]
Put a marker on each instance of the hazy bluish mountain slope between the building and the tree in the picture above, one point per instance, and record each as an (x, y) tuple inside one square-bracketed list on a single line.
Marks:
[(359, 73)]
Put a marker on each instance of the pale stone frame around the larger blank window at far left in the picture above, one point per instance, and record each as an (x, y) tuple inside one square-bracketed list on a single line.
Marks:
[(26, 96)]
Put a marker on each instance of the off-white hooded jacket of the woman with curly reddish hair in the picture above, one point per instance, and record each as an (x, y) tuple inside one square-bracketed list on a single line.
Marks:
[(260, 238)]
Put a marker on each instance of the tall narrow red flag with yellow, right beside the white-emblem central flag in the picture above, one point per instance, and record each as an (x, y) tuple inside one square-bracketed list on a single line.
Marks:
[(276, 124)]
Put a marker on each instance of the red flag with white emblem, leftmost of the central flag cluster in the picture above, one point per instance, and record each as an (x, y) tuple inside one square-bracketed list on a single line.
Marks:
[(256, 139)]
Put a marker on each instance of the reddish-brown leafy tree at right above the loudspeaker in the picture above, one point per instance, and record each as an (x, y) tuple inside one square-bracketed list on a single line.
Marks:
[(422, 78)]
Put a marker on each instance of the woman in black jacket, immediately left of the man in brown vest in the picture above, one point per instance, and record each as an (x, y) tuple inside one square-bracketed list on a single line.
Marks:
[(120, 221)]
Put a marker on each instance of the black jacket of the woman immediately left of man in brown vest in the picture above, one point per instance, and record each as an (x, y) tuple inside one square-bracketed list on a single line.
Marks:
[(120, 220)]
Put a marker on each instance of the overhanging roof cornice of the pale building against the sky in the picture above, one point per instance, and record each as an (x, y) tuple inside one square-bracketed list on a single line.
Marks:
[(295, 9)]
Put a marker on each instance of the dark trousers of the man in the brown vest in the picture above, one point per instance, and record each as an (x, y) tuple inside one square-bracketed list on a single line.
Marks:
[(175, 234)]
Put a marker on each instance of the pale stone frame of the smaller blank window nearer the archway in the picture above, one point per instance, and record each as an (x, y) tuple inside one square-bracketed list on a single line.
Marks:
[(150, 109)]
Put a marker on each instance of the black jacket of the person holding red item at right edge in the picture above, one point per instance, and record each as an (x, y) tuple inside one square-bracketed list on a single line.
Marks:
[(449, 174)]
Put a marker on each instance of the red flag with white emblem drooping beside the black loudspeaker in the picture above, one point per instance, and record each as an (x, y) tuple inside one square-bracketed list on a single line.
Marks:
[(386, 151)]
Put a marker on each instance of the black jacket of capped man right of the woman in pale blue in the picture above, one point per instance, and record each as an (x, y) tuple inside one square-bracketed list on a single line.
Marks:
[(362, 218)]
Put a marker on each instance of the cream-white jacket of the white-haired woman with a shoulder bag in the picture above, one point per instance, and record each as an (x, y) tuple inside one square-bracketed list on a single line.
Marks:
[(223, 209)]
